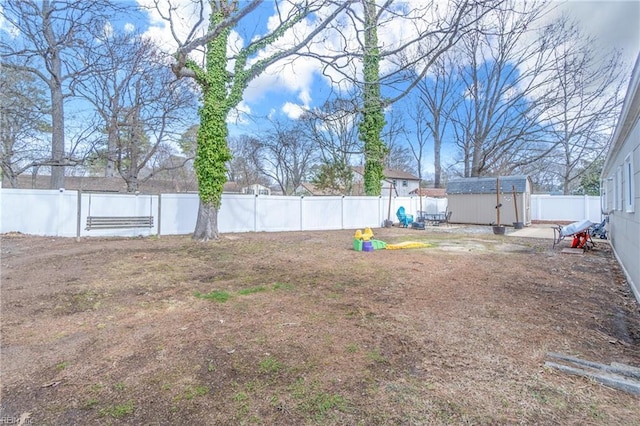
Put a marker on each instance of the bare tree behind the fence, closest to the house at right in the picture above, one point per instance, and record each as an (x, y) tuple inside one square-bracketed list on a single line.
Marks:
[(588, 90)]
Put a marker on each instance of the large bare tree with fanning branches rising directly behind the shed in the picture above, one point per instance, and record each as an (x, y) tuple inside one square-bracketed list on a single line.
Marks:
[(507, 91)]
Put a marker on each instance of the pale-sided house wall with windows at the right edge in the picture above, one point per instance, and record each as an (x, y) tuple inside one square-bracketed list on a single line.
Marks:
[(621, 185)]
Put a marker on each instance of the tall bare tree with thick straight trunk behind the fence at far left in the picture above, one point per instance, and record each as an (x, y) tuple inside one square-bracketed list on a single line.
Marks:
[(44, 40)]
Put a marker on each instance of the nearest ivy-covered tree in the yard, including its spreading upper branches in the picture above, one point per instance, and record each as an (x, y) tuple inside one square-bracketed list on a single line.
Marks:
[(222, 90)]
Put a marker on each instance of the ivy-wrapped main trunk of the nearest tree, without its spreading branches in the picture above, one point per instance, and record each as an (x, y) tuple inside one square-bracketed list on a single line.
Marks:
[(212, 151)]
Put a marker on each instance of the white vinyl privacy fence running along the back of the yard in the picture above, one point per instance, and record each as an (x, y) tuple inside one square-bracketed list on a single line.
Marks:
[(64, 213)]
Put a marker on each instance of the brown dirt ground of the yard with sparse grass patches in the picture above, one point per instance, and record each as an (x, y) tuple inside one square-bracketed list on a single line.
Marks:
[(298, 328)]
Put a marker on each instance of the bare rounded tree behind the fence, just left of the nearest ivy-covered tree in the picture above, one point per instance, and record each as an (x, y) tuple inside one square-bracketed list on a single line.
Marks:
[(141, 104)]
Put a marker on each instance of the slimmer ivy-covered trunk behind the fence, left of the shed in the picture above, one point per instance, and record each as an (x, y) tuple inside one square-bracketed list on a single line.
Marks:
[(372, 115)]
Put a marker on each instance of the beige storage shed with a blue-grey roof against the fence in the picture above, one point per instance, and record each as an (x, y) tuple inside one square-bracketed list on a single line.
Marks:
[(473, 200)]
